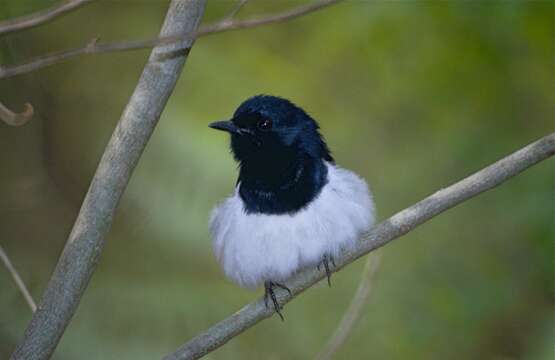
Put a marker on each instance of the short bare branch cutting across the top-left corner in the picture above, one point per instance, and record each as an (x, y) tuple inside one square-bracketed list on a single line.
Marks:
[(40, 17)]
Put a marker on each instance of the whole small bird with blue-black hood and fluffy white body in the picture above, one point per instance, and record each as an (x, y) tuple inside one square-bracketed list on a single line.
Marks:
[(293, 207)]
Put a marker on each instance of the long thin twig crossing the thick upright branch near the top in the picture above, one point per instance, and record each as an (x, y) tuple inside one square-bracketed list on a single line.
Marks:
[(108, 47)]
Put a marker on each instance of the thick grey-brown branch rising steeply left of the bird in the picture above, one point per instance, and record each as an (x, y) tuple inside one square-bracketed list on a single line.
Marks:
[(86, 241)]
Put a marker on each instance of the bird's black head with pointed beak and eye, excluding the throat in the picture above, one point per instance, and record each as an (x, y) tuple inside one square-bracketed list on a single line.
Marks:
[(269, 128)]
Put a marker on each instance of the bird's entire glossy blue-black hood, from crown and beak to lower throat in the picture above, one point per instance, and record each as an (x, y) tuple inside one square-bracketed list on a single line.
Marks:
[(281, 154)]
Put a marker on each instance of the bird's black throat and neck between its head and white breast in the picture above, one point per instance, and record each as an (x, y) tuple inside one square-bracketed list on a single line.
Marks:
[(285, 184)]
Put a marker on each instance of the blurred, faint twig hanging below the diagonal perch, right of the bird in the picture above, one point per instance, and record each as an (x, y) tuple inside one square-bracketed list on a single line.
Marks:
[(354, 311)]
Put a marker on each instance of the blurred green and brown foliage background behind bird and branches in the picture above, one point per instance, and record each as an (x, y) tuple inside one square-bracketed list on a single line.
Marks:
[(411, 95)]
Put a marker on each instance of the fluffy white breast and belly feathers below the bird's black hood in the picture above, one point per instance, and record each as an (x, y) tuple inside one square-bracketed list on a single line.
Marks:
[(253, 248)]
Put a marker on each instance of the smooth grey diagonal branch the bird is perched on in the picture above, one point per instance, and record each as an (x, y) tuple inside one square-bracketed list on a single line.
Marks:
[(392, 228)]
